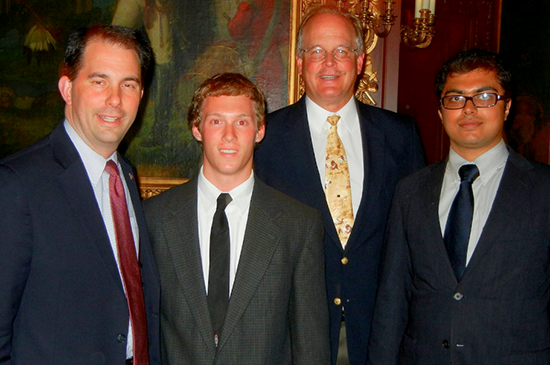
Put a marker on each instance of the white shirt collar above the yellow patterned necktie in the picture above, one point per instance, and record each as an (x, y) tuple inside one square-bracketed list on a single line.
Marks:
[(317, 116)]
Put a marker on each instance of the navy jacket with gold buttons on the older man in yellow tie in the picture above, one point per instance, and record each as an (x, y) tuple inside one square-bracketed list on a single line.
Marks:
[(392, 150)]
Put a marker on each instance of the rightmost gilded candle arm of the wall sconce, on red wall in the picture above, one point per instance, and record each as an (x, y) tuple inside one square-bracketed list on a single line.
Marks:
[(421, 35)]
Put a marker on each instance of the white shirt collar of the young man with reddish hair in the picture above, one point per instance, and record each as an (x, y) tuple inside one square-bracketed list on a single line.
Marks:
[(209, 193)]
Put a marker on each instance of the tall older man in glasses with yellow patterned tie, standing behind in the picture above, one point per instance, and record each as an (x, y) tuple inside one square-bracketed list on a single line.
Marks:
[(380, 146)]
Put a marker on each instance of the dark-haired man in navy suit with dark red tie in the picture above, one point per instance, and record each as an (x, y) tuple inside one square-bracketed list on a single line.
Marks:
[(67, 261)]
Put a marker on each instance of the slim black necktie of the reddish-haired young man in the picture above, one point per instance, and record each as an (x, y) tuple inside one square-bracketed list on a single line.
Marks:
[(218, 279)]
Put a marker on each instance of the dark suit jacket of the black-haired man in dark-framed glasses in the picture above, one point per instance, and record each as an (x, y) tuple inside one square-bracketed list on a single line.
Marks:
[(498, 313)]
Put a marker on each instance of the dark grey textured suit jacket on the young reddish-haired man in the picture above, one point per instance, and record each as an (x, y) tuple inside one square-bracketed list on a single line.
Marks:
[(277, 313)]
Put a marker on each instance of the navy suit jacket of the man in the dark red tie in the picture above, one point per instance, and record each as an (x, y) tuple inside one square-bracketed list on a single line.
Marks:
[(61, 295)]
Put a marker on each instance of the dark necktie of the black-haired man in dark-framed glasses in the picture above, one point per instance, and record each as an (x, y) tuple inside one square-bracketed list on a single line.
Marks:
[(459, 223)]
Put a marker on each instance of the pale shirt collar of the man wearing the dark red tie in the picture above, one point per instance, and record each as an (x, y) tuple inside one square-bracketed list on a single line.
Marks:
[(94, 163)]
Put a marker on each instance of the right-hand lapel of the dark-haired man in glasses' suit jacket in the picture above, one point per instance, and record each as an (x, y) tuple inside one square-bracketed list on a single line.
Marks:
[(512, 192)]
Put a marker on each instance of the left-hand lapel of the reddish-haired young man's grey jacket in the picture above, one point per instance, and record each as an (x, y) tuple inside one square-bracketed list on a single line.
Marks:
[(182, 238)]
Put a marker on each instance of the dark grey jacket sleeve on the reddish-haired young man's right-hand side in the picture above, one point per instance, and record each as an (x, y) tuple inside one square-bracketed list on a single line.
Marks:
[(308, 308)]
